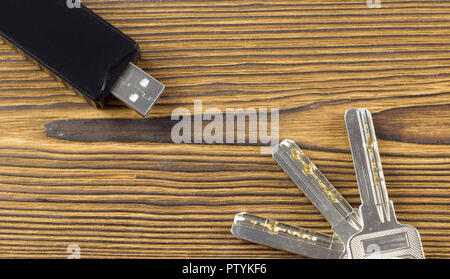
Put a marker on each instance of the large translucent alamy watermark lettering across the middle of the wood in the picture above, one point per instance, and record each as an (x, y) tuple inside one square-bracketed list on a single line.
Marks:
[(234, 126)]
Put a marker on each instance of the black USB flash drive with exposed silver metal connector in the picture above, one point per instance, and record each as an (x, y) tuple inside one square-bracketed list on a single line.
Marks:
[(87, 53)]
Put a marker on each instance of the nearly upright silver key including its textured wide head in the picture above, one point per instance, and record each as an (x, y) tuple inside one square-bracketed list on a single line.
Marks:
[(381, 235)]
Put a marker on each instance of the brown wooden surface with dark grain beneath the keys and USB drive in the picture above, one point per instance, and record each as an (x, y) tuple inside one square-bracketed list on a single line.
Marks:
[(108, 182)]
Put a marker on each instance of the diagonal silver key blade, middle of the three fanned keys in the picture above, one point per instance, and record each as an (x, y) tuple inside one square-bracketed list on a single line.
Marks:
[(344, 219)]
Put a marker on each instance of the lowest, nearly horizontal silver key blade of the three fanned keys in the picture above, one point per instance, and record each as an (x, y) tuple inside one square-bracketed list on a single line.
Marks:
[(285, 237)]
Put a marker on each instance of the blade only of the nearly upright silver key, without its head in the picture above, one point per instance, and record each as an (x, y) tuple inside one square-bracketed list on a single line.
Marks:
[(367, 162)]
